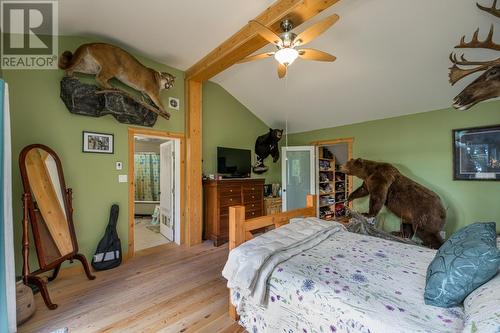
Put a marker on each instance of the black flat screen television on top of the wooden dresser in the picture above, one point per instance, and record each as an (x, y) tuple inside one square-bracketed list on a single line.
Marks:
[(234, 163)]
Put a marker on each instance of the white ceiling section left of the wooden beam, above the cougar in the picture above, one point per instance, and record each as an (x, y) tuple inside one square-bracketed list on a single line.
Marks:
[(175, 32)]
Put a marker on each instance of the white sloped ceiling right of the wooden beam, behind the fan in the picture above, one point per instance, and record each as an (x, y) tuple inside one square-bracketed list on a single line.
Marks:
[(392, 60)]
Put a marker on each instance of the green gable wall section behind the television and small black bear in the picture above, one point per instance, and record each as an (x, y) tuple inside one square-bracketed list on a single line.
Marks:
[(228, 123)]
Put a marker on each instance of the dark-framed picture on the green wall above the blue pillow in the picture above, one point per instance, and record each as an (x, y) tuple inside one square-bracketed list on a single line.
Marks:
[(476, 153)]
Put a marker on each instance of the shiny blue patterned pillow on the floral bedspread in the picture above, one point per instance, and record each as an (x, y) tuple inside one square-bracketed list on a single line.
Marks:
[(468, 259)]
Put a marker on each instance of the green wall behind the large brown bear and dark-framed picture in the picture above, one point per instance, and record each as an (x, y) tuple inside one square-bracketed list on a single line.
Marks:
[(420, 146)]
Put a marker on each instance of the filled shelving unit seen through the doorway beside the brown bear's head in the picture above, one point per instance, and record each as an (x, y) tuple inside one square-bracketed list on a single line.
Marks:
[(333, 186)]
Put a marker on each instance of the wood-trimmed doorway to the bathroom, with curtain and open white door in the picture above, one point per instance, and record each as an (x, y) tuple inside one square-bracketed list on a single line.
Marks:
[(155, 160)]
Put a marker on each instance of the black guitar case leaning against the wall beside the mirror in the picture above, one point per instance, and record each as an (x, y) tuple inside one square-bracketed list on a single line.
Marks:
[(109, 250)]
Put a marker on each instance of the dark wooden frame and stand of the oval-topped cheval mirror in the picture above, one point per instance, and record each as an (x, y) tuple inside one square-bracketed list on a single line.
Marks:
[(31, 214)]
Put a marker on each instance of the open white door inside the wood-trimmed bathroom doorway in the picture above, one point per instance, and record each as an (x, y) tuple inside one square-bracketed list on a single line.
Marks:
[(167, 192)]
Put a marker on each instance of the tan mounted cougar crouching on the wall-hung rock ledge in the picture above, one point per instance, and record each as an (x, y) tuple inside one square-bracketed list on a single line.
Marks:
[(106, 61)]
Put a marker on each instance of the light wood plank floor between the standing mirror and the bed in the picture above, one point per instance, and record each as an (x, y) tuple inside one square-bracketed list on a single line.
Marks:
[(162, 289)]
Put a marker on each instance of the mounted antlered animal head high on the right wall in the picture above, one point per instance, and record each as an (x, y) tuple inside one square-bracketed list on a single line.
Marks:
[(486, 86)]
